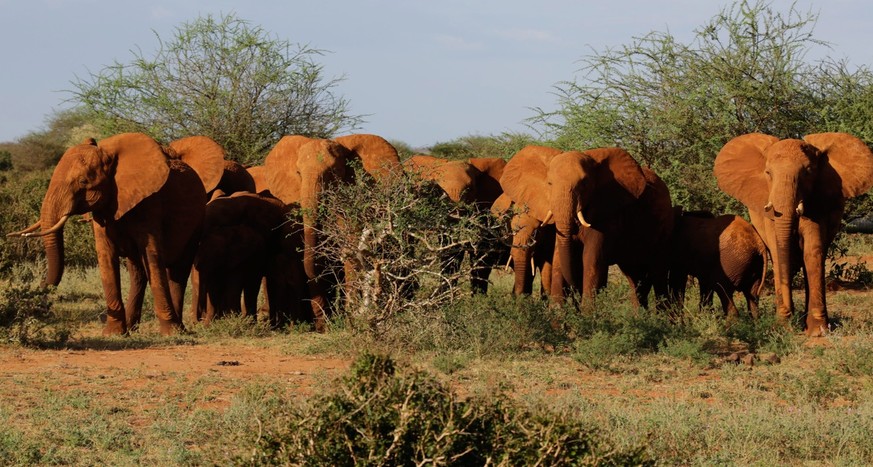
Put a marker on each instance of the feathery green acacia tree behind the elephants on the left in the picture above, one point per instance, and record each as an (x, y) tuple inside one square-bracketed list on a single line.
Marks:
[(220, 77)]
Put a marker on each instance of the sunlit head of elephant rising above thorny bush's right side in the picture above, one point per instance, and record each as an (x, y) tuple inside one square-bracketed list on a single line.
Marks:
[(456, 178)]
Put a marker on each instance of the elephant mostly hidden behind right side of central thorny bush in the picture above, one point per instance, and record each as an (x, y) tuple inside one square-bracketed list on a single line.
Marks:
[(475, 184)]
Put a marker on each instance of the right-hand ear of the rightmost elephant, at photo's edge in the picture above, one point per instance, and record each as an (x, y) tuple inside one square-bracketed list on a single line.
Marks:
[(849, 157)]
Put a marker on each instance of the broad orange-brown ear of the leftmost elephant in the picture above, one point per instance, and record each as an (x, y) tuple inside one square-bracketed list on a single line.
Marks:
[(140, 171)]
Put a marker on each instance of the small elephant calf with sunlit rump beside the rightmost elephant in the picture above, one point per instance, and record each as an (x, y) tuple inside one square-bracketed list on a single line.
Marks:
[(725, 254)]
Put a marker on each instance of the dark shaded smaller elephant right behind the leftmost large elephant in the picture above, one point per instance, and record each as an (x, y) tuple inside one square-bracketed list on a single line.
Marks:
[(249, 239)]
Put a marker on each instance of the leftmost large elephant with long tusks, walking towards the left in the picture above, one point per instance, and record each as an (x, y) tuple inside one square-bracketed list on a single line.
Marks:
[(147, 205)]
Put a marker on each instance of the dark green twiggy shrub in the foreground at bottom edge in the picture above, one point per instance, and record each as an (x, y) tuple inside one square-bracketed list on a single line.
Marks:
[(379, 416)]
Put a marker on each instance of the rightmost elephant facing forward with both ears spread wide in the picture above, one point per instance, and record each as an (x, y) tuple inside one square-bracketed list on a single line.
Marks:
[(796, 191)]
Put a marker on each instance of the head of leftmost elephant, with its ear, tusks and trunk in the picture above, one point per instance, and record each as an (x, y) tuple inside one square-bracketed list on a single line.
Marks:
[(108, 179)]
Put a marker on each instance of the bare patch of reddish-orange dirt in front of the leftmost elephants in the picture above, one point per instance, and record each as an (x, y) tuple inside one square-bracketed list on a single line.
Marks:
[(217, 371)]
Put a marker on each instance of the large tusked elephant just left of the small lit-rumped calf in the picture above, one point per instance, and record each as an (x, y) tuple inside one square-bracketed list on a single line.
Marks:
[(606, 209)]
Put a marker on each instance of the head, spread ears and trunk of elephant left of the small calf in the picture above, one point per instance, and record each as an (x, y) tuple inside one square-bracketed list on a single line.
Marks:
[(572, 189)]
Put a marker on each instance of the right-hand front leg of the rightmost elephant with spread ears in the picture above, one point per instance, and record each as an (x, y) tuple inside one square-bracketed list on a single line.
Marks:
[(813, 265)]
